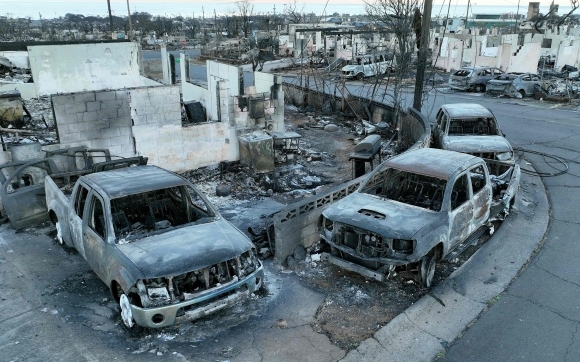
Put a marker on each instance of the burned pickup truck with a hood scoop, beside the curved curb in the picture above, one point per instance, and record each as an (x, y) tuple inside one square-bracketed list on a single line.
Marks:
[(414, 209)]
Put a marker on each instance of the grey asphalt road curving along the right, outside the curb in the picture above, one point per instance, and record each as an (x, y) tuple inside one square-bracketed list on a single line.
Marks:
[(538, 316)]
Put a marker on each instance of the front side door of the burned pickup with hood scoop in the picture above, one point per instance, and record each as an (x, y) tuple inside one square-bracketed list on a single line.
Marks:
[(460, 210)]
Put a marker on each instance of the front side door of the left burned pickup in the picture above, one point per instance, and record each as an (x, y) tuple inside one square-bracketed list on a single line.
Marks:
[(95, 233)]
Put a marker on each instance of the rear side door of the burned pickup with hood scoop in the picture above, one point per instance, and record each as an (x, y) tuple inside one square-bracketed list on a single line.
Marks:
[(481, 191)]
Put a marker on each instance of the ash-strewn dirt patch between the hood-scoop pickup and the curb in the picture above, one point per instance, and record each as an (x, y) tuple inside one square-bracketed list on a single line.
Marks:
[(356, 307)]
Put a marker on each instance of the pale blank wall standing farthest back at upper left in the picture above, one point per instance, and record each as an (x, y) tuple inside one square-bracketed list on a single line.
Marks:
[(85, 67)]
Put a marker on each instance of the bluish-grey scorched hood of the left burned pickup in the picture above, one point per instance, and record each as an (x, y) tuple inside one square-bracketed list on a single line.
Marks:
[(186, 249)]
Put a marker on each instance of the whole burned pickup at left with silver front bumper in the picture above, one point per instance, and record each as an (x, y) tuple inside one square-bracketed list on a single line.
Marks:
[(157, 243)]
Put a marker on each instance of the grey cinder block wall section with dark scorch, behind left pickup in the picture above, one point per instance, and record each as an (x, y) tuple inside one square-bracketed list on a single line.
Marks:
[(95, 120)]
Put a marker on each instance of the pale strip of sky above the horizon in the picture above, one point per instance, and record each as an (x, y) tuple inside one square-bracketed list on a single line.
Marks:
[(56, 8)]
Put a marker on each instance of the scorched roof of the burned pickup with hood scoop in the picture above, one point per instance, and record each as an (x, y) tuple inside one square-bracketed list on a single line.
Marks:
[(431, 162)]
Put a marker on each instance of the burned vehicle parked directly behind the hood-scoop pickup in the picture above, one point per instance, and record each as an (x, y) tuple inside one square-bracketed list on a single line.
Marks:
[(473, 129)]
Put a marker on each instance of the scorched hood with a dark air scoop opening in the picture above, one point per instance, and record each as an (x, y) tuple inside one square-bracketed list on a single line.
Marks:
[(400, 221)]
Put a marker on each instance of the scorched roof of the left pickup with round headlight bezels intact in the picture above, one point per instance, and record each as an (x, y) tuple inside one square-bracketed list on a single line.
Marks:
[(133, 180)]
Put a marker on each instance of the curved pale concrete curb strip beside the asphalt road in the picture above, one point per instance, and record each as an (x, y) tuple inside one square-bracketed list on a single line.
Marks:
[(425, 329)]
